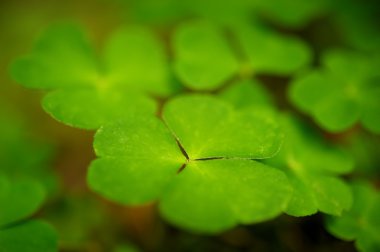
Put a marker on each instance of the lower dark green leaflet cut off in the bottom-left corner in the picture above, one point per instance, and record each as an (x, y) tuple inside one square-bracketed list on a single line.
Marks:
[(31, 236)]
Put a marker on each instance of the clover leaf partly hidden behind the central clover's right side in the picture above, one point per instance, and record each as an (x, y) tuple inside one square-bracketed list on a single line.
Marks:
[(312, 166)]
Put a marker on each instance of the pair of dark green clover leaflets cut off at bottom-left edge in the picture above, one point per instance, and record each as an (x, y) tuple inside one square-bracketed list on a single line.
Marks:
[(20, 199)]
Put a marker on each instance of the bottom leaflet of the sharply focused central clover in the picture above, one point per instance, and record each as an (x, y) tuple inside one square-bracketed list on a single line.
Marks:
[(215, 195)]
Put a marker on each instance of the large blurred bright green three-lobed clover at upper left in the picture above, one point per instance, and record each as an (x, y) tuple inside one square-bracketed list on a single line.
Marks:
[(88, 91)]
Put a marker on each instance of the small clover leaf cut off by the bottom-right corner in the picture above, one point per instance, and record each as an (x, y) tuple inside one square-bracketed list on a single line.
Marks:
[(362, 222)]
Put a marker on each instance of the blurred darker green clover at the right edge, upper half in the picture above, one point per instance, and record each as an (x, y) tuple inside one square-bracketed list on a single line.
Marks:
[(343, 92)]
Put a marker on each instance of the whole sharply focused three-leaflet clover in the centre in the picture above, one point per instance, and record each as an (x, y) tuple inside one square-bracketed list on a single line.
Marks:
[(197, 162)]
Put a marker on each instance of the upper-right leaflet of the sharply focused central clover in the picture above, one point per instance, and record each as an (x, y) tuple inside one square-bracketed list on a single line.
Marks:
[(211, 128)]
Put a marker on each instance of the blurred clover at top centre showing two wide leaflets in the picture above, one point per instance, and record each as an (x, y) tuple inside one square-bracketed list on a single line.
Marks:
[(205, 59)]
